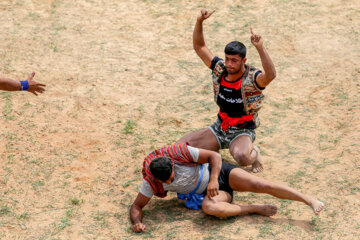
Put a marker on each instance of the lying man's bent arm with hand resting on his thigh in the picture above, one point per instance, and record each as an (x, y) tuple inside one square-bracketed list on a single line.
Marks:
[(207, 156)]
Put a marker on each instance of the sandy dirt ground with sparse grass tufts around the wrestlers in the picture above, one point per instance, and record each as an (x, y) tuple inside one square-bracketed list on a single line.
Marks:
[(122, 79)]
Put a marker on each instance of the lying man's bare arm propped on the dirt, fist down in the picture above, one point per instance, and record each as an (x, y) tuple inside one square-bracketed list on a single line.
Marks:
[(136, 214)]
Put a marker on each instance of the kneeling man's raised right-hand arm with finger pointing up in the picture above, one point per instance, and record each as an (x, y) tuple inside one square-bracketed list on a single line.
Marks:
[(264, 78)]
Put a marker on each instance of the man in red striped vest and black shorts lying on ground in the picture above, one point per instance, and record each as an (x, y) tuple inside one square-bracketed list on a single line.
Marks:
[(183, 169)]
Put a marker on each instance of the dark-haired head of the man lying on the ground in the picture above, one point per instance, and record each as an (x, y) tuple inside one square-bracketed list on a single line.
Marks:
[(161, 168)]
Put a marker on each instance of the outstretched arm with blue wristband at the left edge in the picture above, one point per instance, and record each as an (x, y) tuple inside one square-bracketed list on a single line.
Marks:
[(29, 85)]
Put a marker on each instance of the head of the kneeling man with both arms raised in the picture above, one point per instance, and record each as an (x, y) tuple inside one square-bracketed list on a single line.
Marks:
[(235, 57)]
